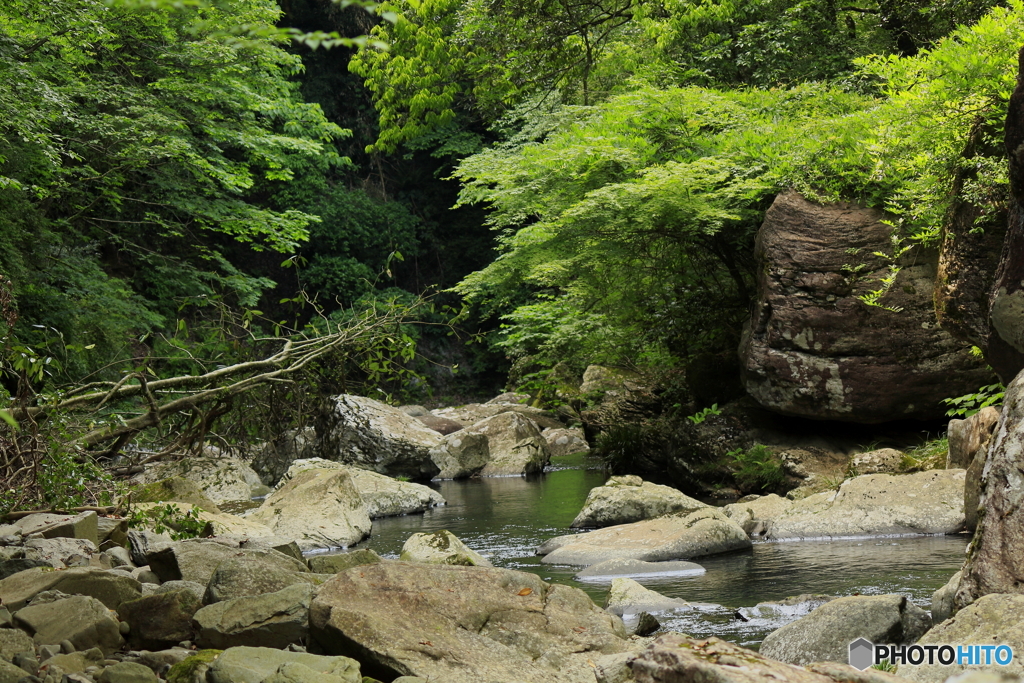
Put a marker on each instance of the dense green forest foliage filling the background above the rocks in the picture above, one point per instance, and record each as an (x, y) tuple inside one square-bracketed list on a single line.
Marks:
[(216, 214)]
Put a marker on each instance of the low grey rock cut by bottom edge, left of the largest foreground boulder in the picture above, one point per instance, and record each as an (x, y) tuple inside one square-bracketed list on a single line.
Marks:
[(255, 665)]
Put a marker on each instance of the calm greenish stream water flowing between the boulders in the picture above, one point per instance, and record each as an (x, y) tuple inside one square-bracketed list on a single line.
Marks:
[(505, 519)]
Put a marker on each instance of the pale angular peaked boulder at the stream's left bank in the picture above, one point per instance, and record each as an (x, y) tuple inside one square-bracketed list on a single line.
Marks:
[(320, 508)]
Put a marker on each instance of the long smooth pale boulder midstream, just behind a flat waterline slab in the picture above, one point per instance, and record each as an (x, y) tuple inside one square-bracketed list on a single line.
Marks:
[(707, 532)]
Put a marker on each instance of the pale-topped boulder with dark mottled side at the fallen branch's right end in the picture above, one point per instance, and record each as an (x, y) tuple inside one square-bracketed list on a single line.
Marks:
[(375, 437)]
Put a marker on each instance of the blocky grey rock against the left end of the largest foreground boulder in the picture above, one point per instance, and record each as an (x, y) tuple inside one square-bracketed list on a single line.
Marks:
[(274, 620)]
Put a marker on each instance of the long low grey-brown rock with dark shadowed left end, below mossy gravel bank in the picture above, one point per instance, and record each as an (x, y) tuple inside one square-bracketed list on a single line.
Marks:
[(197, 560)]
